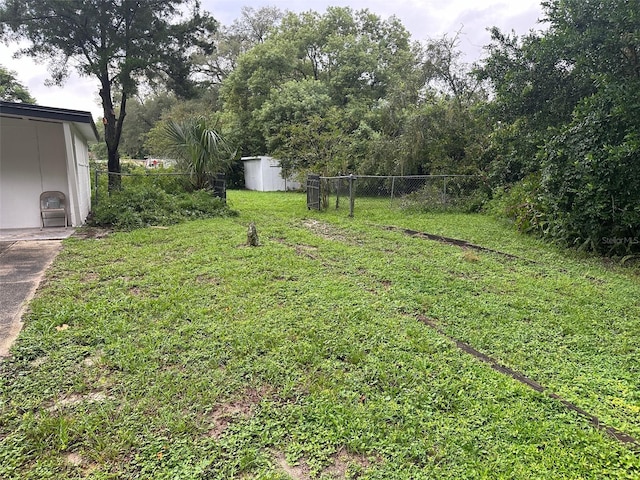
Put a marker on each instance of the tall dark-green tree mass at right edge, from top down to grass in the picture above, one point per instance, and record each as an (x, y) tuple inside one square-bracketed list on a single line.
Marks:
[(568, 100)]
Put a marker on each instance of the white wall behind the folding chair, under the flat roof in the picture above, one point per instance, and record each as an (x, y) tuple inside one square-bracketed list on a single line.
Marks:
[(32, 160)]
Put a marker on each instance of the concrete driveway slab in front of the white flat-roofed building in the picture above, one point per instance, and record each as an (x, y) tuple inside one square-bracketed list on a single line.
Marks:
[(22, 266)]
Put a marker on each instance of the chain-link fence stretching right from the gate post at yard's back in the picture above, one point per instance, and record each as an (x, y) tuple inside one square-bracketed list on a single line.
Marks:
[(418, 192)]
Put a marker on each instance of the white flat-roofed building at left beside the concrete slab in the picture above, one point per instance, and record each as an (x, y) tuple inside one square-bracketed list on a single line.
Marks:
[(43, 149)]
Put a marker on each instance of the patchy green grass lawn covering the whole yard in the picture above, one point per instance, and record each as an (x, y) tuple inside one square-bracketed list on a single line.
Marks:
[(180, 353)]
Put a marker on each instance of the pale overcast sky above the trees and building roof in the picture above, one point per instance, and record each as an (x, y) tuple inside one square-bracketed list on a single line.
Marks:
[(423, 18)]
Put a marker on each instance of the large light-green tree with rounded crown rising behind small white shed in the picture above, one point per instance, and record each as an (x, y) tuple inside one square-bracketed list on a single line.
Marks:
[(311, 64)]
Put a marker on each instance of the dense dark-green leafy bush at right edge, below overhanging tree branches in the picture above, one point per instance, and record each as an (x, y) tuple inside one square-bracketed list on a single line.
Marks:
[(591, 174)]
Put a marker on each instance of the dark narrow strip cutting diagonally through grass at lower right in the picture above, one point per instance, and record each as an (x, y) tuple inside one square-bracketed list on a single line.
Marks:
[(613, 432)]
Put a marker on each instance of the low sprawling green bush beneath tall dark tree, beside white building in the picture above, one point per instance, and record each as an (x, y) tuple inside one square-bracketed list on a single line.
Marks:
[(148, 205)]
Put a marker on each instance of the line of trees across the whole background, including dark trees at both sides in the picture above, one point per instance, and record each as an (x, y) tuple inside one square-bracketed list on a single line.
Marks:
[(550, 118)]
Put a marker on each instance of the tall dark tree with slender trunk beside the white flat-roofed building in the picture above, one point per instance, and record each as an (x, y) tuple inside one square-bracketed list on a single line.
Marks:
[(122, 43)]
